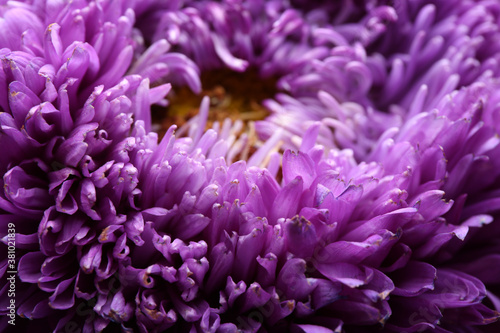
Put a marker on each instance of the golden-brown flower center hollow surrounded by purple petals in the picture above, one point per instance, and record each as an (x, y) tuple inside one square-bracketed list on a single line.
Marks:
[(232, 95)]
